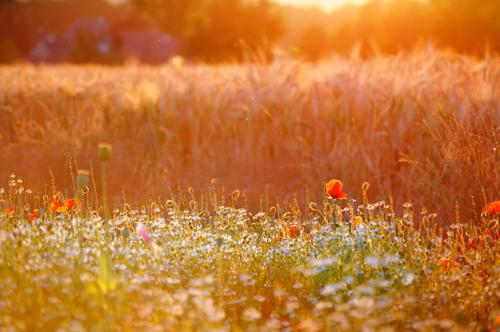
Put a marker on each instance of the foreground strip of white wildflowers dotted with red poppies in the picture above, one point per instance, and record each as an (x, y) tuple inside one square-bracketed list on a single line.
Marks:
[(193, 264)]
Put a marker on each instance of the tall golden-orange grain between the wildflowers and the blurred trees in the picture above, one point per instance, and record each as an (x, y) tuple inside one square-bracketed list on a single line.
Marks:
[(419, 127)]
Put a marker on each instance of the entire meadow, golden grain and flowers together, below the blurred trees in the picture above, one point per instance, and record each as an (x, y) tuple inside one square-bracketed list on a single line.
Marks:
[(191, 197)]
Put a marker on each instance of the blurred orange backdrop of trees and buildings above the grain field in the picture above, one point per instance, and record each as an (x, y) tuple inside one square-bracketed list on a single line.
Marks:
[(153, 31)]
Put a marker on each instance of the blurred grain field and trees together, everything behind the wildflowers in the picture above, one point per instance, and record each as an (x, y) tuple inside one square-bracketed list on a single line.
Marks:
[(411, 105)]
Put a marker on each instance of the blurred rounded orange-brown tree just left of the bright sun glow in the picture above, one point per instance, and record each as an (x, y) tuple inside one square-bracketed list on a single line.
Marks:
[(215, 30)]
